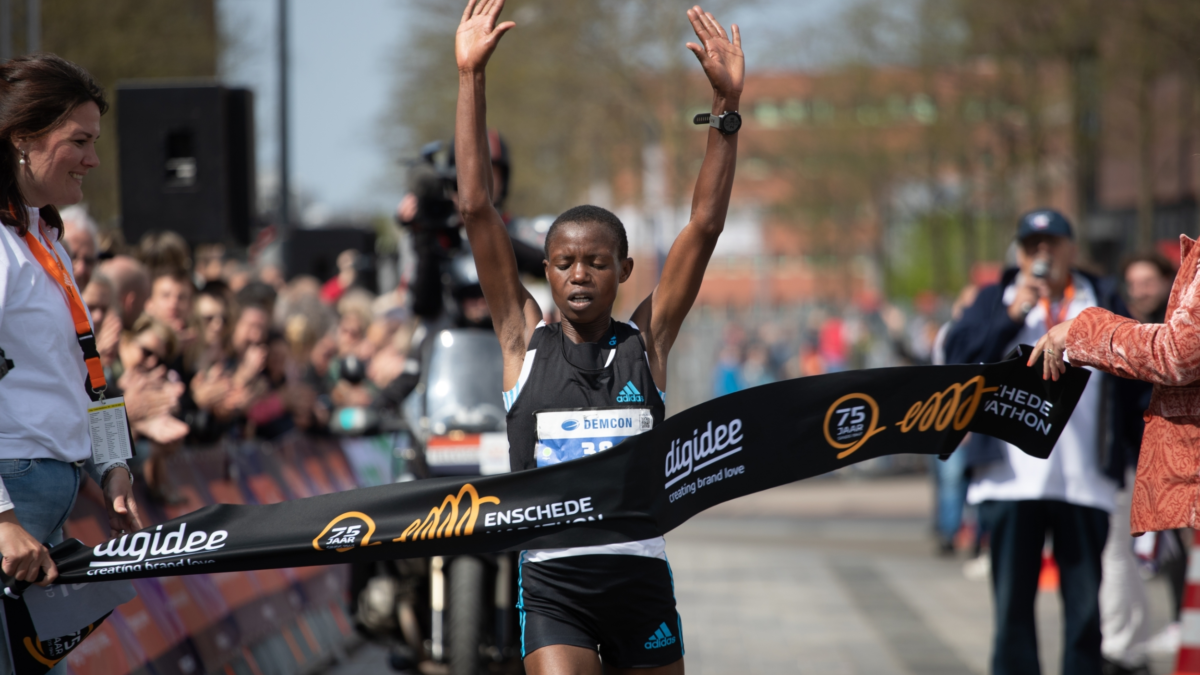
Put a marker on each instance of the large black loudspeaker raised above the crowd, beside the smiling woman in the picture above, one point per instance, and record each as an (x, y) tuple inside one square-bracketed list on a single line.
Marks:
[(188, 162)]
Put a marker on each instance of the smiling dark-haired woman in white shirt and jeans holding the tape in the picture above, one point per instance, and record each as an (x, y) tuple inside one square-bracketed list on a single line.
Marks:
[(50, 121)]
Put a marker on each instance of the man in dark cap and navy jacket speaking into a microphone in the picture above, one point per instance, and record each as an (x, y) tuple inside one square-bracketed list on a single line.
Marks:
[(1067, 499)]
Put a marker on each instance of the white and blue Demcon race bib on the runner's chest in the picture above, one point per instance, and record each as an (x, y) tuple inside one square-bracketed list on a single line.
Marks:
[(567, 435)]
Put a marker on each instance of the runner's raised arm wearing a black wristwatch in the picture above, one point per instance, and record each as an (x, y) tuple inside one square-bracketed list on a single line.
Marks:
[(662, 314)]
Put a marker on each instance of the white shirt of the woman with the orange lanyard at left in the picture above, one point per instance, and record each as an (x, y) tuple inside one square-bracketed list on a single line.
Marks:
[(44, 405)]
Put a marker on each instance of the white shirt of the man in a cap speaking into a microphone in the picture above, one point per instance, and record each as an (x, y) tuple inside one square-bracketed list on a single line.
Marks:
[(1072, 474)]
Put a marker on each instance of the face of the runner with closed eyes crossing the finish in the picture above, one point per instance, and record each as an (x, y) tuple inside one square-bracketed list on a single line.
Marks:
[(584, 272)]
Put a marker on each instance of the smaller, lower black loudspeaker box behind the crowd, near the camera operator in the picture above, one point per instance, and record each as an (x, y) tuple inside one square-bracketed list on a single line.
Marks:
[(315, 252)]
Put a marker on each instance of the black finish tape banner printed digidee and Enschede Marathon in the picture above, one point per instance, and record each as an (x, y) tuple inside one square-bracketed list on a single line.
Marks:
[(643, 488)]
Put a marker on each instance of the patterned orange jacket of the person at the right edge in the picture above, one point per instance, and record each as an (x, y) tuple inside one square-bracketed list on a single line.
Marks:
[(1167, 492)]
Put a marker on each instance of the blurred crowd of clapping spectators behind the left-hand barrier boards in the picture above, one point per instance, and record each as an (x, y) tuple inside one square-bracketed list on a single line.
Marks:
[(221, 350)]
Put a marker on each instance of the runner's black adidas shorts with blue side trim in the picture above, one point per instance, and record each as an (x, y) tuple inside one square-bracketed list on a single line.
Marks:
[(621, 606)]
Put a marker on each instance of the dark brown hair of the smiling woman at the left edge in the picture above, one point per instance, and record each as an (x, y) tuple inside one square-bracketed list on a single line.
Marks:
[(38, 94)]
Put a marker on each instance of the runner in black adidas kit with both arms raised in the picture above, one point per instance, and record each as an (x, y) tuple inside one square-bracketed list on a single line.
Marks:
[(593, 610)]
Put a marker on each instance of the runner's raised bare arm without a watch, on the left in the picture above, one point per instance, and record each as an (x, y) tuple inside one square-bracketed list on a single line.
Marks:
[(514, 312)]
